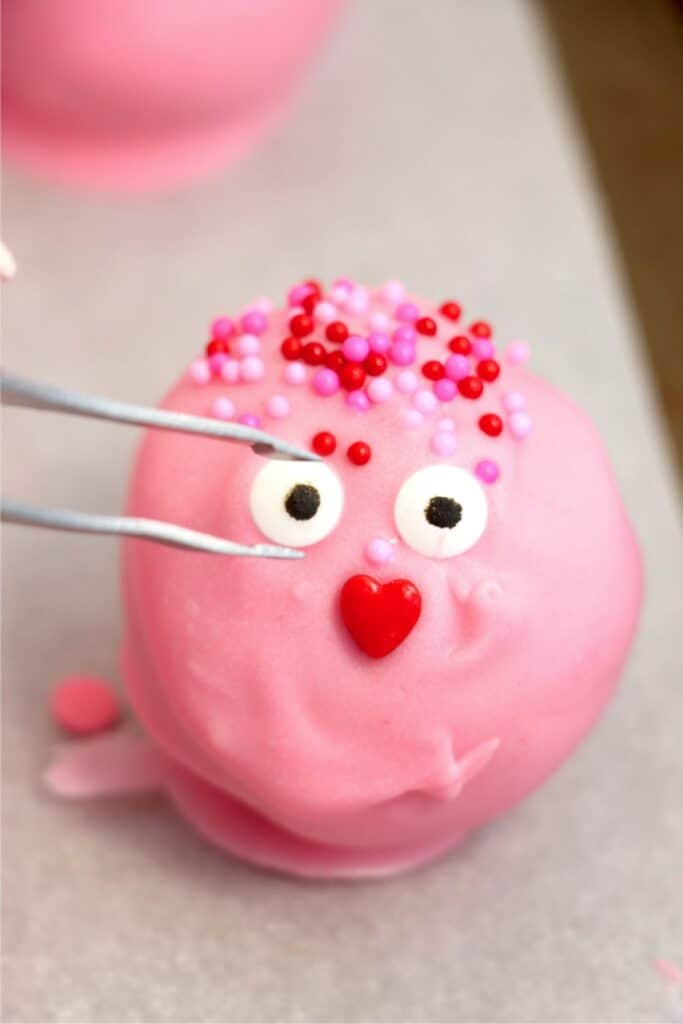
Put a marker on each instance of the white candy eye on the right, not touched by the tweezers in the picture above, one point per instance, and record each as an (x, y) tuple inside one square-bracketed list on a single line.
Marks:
[(441, 511)]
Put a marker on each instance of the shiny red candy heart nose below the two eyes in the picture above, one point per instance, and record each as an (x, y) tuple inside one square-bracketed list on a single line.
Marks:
[(379, 617)]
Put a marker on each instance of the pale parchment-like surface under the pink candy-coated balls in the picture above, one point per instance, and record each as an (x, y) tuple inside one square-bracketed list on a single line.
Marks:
[(432, 144)]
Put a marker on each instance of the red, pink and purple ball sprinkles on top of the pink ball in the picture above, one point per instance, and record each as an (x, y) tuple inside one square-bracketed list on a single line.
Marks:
[(370, 366)]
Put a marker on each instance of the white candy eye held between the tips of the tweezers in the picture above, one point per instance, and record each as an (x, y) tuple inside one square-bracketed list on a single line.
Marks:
[(296, 503)]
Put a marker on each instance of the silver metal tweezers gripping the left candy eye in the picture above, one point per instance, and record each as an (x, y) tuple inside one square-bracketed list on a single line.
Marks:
[(21, 393)]
